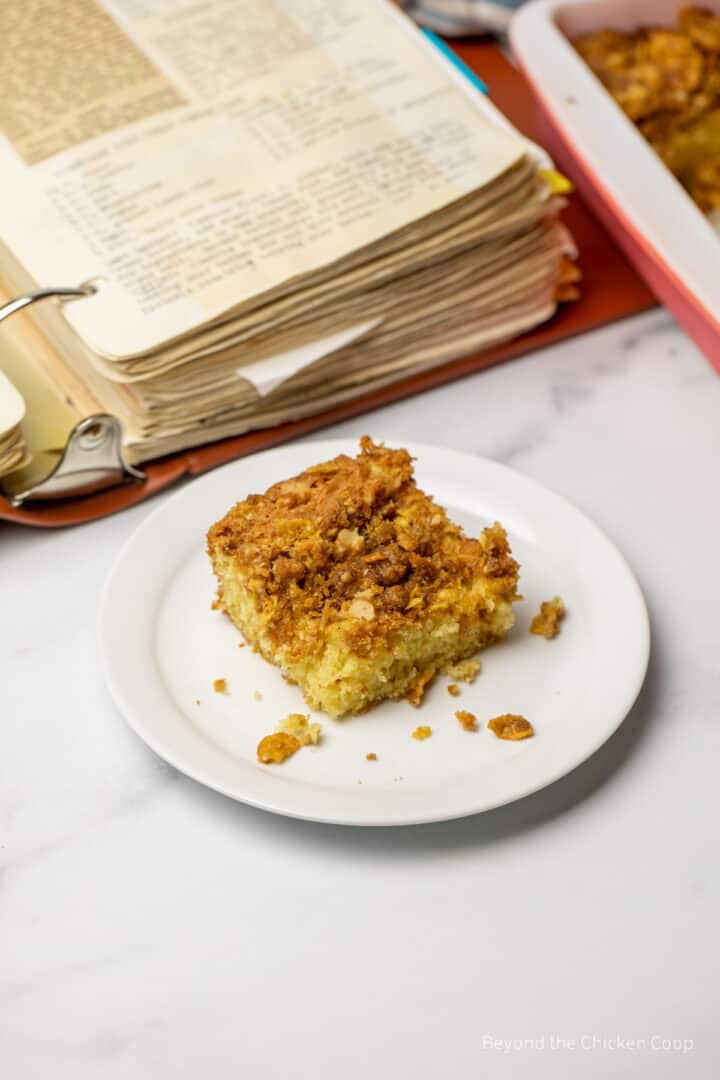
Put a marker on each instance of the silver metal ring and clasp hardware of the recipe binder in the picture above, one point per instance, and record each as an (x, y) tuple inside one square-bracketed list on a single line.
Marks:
[(93, 456)]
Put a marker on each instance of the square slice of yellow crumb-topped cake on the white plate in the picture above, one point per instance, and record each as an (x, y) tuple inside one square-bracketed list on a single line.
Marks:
[(357, 585)]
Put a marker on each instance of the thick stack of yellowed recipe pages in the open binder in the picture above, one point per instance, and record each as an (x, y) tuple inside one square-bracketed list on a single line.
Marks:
[(275, 206)]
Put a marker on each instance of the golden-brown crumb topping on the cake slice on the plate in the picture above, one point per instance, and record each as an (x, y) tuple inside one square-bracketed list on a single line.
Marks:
[(355, 541)]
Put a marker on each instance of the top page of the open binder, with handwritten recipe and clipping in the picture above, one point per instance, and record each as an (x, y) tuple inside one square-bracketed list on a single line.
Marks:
[(193, 156)]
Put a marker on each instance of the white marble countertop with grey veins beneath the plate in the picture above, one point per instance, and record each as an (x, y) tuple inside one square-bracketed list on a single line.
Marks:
[(152, 930)]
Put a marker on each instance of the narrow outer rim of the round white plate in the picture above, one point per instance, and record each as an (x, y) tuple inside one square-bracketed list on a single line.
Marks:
[(324, 450)]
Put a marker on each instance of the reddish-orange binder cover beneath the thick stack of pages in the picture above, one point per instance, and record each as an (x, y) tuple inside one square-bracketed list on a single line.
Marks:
[(610, 290)]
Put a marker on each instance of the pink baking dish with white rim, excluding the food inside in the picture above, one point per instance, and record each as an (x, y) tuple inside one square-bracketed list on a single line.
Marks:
[(659, 227)]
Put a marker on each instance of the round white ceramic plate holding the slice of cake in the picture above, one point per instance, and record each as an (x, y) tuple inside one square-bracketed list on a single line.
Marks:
[(162, 646)]
